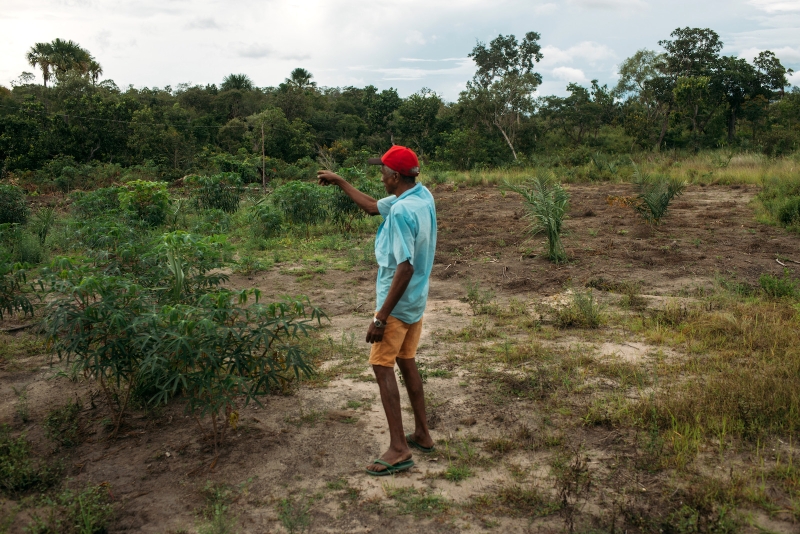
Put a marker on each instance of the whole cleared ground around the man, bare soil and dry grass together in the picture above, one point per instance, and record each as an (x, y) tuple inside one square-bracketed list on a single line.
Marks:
[(544, 421)]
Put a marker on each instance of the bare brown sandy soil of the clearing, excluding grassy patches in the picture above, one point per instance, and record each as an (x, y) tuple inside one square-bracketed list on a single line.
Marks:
[(312, 446)]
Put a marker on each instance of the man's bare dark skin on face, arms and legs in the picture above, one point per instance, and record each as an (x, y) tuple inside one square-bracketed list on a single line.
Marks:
[(398, 450)]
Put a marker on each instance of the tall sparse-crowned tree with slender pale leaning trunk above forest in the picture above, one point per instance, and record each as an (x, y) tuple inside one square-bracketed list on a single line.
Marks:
[(502, 88)]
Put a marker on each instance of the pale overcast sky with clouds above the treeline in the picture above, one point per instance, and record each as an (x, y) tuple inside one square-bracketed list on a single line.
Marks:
[(406, 44)]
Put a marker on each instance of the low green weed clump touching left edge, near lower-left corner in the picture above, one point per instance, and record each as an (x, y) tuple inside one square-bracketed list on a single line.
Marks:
[(18, 472)]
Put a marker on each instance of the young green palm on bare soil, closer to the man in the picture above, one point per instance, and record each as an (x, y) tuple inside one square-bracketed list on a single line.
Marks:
[(547, 202)]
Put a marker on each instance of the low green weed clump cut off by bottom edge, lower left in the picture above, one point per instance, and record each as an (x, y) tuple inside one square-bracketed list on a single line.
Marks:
[(85, 511)]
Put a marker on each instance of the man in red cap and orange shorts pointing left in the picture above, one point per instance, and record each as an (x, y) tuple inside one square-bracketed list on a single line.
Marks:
[(404, 248)]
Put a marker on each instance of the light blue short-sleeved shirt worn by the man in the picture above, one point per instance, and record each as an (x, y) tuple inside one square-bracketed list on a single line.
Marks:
[(408, 232)]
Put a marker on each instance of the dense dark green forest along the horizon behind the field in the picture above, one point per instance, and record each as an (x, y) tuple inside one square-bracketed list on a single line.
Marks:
[(74, 126)]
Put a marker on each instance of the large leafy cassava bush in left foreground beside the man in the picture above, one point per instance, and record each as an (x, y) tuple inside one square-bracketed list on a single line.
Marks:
[(173, 331)]
